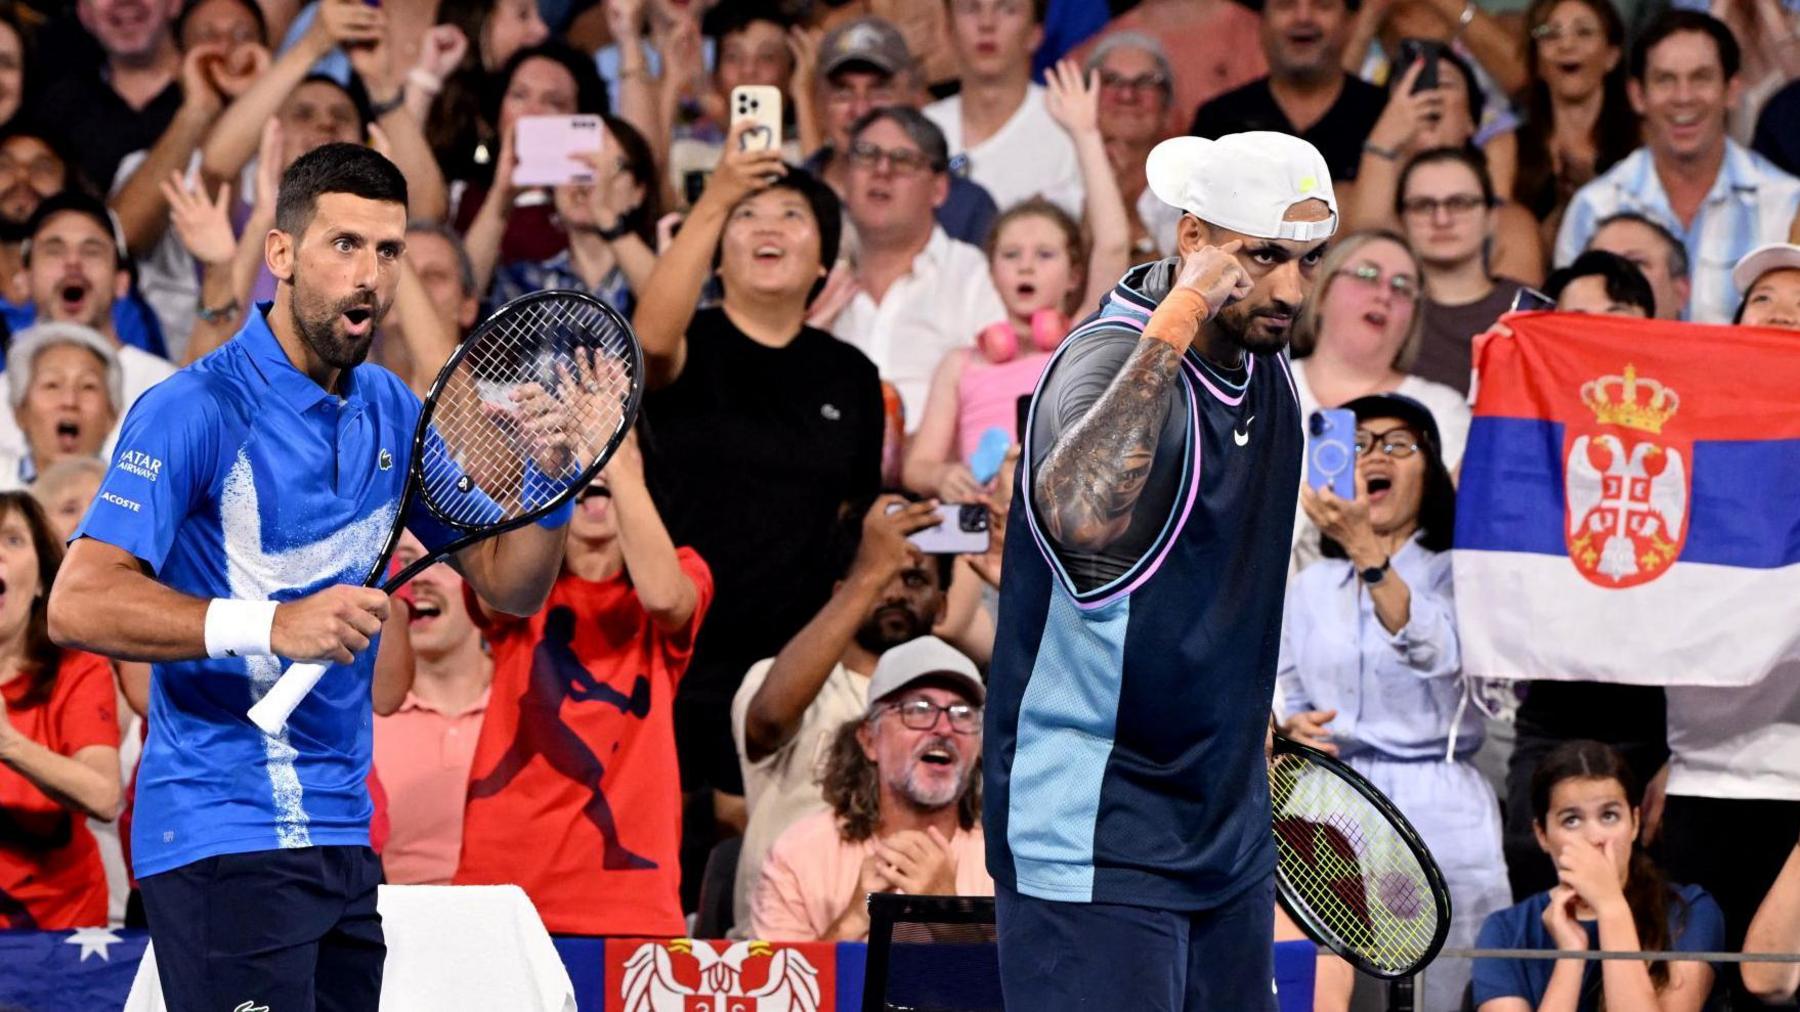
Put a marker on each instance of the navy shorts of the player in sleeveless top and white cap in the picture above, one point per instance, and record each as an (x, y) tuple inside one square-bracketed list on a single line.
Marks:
[(1065, 955)]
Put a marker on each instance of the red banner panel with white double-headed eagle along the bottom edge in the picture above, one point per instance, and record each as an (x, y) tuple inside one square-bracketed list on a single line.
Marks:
[(690, 975)]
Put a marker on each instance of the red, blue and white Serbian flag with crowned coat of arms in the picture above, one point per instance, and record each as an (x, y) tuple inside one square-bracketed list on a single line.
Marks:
[(1630, 503)]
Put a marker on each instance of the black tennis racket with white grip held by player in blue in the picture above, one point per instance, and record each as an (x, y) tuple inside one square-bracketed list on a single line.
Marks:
[(521, 419)]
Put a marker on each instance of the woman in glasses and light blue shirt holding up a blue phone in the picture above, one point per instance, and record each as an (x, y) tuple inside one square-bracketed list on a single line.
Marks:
[(1372, 671)]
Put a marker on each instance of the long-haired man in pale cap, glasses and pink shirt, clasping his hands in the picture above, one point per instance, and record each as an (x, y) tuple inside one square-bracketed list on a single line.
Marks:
[(906, 806)]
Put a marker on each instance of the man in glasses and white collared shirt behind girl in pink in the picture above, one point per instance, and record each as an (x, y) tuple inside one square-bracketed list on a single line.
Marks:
[(919, 293)]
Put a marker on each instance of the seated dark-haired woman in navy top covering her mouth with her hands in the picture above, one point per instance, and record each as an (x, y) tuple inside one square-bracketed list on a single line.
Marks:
[(1608, 896)]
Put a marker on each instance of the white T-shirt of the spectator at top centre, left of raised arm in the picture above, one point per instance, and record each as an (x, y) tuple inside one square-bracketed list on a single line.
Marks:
[(1025, 158)]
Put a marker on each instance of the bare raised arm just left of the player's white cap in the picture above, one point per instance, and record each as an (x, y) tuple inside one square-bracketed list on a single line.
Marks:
[(1074, 104)]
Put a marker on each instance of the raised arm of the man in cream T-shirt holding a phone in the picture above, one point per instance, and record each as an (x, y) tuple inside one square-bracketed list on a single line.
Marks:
[(805, 664)]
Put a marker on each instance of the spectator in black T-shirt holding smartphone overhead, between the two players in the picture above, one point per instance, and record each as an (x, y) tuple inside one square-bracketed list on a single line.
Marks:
[(766, 431)]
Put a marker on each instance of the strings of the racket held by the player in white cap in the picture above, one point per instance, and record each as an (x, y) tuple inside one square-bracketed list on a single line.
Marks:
[(1342, 858)]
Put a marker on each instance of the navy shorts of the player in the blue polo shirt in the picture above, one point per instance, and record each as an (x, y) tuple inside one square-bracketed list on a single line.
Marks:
[(287, 930)]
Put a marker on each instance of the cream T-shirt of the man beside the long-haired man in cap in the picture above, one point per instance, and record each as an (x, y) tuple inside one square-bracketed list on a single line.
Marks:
[(784, 788)]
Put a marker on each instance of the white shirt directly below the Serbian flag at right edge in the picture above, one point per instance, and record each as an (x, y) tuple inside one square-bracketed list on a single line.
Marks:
[(1738, 743)]
